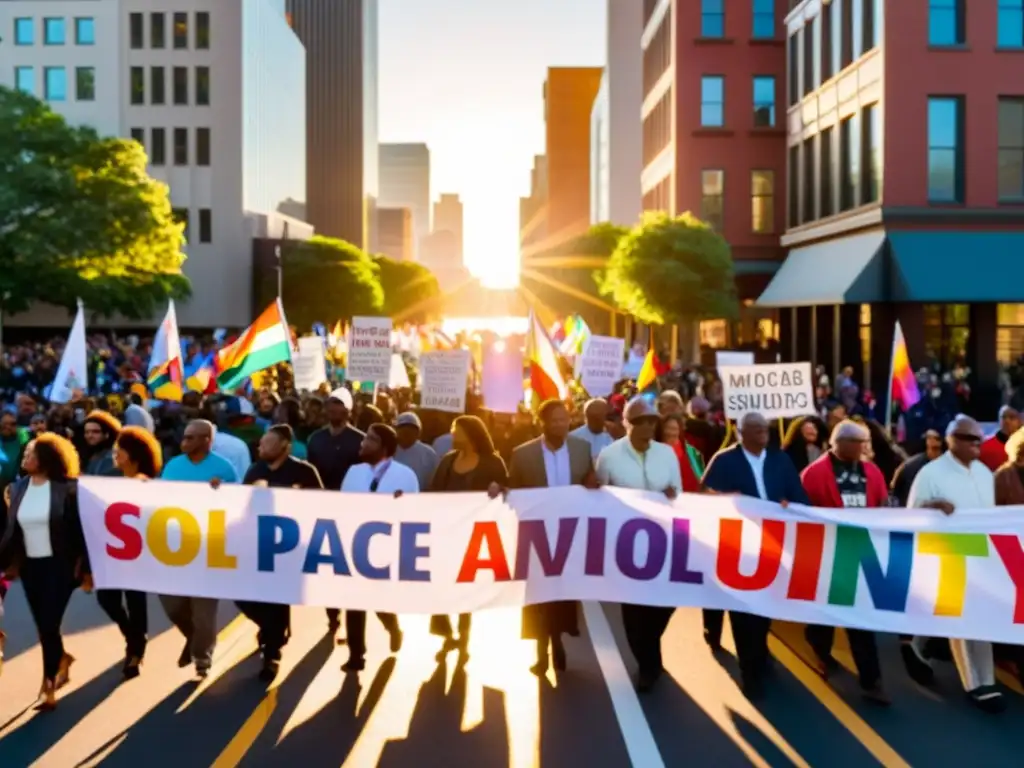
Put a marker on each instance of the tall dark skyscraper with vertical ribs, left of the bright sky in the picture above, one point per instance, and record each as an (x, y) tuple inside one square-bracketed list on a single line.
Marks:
[(342, 116)]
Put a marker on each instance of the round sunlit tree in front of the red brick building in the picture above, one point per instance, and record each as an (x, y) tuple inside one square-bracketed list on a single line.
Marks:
[(669, 271)]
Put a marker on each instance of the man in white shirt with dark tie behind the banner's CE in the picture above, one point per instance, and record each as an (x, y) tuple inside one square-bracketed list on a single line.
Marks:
[(379, 474)]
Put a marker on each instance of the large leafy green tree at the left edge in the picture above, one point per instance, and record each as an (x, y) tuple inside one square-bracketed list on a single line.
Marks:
[(81, 219)]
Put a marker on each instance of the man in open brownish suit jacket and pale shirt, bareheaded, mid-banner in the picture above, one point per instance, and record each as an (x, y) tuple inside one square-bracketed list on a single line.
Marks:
[(553, 460)]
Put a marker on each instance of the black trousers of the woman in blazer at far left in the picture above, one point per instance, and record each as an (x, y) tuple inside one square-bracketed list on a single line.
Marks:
[(49, 584)]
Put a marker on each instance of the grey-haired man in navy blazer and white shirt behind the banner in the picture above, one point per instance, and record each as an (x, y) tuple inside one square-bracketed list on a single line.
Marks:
[(750, 468)]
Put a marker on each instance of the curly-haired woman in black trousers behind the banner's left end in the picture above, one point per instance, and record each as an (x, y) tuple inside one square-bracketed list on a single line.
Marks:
[(137, 455)]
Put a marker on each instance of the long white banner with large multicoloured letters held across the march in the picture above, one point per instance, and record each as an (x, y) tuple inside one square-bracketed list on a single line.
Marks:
[(897, 571)]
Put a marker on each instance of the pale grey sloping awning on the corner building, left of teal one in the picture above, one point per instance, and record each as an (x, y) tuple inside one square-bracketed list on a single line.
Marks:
[(845, 271)]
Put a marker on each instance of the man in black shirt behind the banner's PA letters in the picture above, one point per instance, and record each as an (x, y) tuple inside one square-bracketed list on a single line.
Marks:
[(277, 468)]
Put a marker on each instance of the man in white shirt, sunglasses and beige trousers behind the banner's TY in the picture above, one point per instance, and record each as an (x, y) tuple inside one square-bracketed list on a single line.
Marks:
[(958, 481)]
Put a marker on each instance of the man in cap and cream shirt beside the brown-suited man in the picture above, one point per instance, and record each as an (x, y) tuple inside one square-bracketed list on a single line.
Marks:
[(638, 462)]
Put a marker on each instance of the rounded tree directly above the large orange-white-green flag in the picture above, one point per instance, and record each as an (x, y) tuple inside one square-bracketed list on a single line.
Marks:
[(327, 280)]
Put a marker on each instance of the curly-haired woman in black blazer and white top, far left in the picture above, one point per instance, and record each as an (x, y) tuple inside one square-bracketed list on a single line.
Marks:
[(45, 546)]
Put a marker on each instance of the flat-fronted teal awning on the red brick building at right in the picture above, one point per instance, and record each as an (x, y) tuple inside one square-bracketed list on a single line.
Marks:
[(956, 268)]
